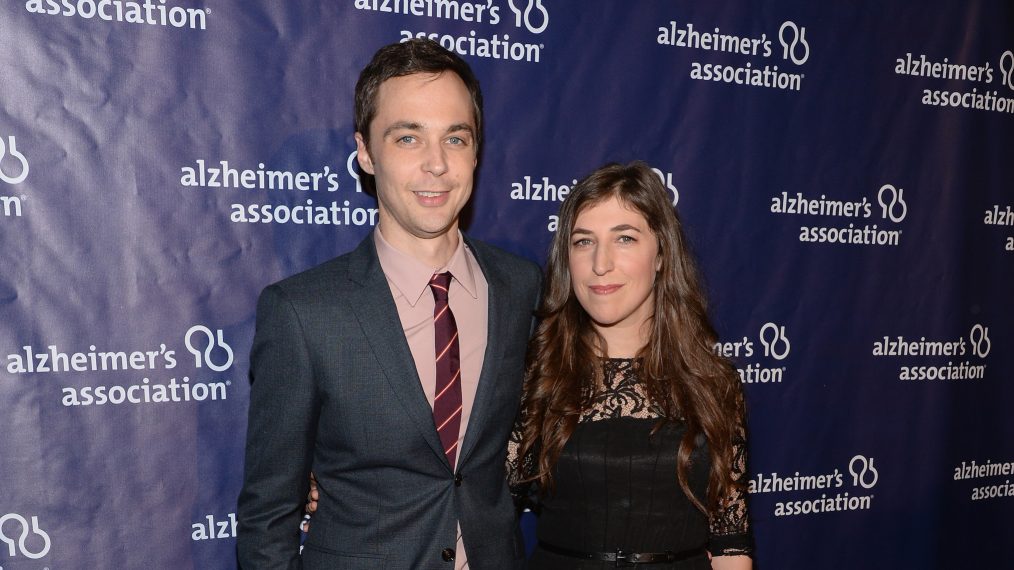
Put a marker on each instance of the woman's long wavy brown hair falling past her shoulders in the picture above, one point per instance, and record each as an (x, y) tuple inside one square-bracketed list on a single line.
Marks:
[(681, 373)]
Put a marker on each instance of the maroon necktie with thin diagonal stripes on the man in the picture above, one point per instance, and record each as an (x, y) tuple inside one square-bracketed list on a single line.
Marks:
[(448, 402)]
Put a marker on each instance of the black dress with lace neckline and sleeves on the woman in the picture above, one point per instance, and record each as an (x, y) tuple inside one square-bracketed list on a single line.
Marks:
[(617, 487)]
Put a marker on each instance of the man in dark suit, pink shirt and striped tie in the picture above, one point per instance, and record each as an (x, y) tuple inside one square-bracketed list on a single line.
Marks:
[(395, 383)]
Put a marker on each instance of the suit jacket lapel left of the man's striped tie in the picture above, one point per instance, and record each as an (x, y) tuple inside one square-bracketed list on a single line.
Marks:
[(378, 316)]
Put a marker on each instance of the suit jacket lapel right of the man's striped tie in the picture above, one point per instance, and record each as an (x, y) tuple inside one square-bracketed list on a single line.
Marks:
[(498, 301)]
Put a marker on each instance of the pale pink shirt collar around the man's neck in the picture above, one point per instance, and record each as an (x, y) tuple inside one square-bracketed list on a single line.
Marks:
[(412, 277)]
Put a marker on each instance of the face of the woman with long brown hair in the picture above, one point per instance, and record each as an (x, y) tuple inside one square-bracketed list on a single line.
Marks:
[(614, 258)]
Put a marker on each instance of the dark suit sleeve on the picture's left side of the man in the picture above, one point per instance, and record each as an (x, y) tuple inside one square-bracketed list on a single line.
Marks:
[(280, 436)]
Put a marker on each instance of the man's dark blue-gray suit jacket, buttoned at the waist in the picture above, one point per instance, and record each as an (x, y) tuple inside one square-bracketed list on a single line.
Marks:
[(335, 390)]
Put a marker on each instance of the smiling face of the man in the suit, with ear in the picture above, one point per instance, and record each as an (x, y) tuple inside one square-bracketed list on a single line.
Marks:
[(423, 156)]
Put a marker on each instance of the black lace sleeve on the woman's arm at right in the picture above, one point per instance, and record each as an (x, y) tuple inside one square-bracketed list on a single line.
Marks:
[(731, 531)]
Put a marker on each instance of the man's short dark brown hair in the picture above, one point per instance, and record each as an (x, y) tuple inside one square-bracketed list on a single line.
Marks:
[(408, 58)]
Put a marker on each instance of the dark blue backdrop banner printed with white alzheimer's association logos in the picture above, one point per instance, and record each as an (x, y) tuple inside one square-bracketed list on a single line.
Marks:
[(845, 171)]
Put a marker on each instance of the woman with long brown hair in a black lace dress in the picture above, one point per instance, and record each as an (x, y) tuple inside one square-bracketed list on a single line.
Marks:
[(632, 429)]
